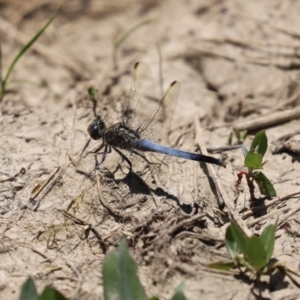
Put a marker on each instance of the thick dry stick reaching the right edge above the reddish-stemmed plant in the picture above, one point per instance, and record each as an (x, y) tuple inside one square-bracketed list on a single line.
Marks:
[(269, 120)]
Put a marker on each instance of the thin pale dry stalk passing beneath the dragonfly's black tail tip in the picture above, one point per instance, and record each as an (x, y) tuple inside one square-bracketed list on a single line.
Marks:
[(233, 215)]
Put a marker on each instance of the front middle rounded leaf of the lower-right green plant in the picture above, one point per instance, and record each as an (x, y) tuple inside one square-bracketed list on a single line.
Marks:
[(255, 253)]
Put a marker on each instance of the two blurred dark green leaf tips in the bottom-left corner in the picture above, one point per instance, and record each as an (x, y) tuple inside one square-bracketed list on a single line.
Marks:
[(29, 291)]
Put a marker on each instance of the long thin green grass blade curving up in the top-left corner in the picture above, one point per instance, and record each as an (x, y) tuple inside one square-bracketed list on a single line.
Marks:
[(3, 81)]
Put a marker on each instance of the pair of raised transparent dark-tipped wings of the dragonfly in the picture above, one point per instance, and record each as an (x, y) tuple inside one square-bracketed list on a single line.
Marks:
[(143, 111)]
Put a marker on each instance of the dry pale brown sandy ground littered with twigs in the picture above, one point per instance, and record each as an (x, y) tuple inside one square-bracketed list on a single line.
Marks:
[(237, 61)]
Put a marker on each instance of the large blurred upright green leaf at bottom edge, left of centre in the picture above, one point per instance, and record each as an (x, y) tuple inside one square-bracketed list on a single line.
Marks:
[(120, 280)]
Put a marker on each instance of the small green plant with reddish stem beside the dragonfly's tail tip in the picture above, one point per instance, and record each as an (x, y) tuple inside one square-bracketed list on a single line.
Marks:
[(254, 161)]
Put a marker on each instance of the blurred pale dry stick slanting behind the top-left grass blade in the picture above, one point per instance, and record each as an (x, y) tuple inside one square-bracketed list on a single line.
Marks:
[(9, 30)]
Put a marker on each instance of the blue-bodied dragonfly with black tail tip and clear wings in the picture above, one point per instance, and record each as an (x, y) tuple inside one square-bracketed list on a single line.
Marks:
[(131, 134)]
